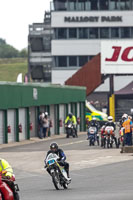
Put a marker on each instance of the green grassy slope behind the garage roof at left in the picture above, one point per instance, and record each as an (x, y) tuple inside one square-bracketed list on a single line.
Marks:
[(10, 68)]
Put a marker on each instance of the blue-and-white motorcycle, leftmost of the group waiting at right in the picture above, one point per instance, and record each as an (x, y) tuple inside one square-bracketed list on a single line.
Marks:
[(92, 135)]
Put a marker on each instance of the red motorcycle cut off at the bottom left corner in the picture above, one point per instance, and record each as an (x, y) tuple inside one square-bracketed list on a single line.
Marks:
[(8, 190)]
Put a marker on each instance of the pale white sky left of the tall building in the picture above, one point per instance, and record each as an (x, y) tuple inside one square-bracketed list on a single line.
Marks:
[(16, 16)]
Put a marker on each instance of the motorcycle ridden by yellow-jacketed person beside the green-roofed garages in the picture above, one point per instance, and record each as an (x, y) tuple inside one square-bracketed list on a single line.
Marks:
[(70, 130)]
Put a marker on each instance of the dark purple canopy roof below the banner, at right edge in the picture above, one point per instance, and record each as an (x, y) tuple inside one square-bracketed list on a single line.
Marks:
[(126, 90)]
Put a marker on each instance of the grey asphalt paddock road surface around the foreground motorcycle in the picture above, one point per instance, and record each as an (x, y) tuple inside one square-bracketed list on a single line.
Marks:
[(97, 174)]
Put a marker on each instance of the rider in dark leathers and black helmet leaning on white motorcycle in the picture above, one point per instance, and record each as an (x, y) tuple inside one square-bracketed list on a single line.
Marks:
[(62, 157)]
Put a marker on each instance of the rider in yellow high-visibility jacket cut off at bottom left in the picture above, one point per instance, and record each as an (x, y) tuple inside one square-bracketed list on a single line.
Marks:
[(7, 174)]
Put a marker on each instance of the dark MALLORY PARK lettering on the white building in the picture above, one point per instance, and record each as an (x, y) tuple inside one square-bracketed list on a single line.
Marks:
[(93, 19)]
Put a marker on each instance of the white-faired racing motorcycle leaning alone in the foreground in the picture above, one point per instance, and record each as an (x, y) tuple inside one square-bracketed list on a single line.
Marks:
[(57, 172)]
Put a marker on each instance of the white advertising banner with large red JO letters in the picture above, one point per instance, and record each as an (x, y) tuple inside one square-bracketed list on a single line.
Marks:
[(117, 57)]
